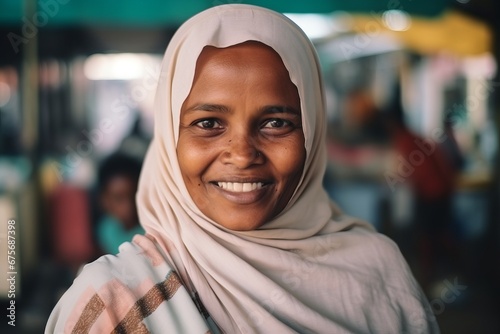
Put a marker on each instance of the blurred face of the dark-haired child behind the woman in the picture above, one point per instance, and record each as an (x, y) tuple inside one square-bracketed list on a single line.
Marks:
[(118, 200)]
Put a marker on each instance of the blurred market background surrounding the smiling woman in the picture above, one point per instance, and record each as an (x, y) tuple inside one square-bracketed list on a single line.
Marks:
[(413, 106)]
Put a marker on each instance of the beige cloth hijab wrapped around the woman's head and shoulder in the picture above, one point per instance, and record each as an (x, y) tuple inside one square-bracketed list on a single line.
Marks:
[(309, 269)]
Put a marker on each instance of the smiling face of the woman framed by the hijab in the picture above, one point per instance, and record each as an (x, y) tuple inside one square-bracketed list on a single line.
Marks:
[(241, 145)]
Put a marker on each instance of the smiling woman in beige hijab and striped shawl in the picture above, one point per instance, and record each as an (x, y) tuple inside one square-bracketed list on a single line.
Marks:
[(240, 236)]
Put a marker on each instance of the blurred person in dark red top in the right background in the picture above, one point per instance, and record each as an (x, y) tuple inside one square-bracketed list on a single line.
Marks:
[(431, 169)]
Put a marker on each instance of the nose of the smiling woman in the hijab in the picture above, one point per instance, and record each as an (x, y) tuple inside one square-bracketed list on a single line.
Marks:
[(242, 152)]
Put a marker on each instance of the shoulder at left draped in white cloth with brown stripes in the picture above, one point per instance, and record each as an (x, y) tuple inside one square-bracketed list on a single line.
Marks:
[(123, 291)]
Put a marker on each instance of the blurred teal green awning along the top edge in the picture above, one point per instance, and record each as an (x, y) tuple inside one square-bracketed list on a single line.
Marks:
[(174, 12)]
